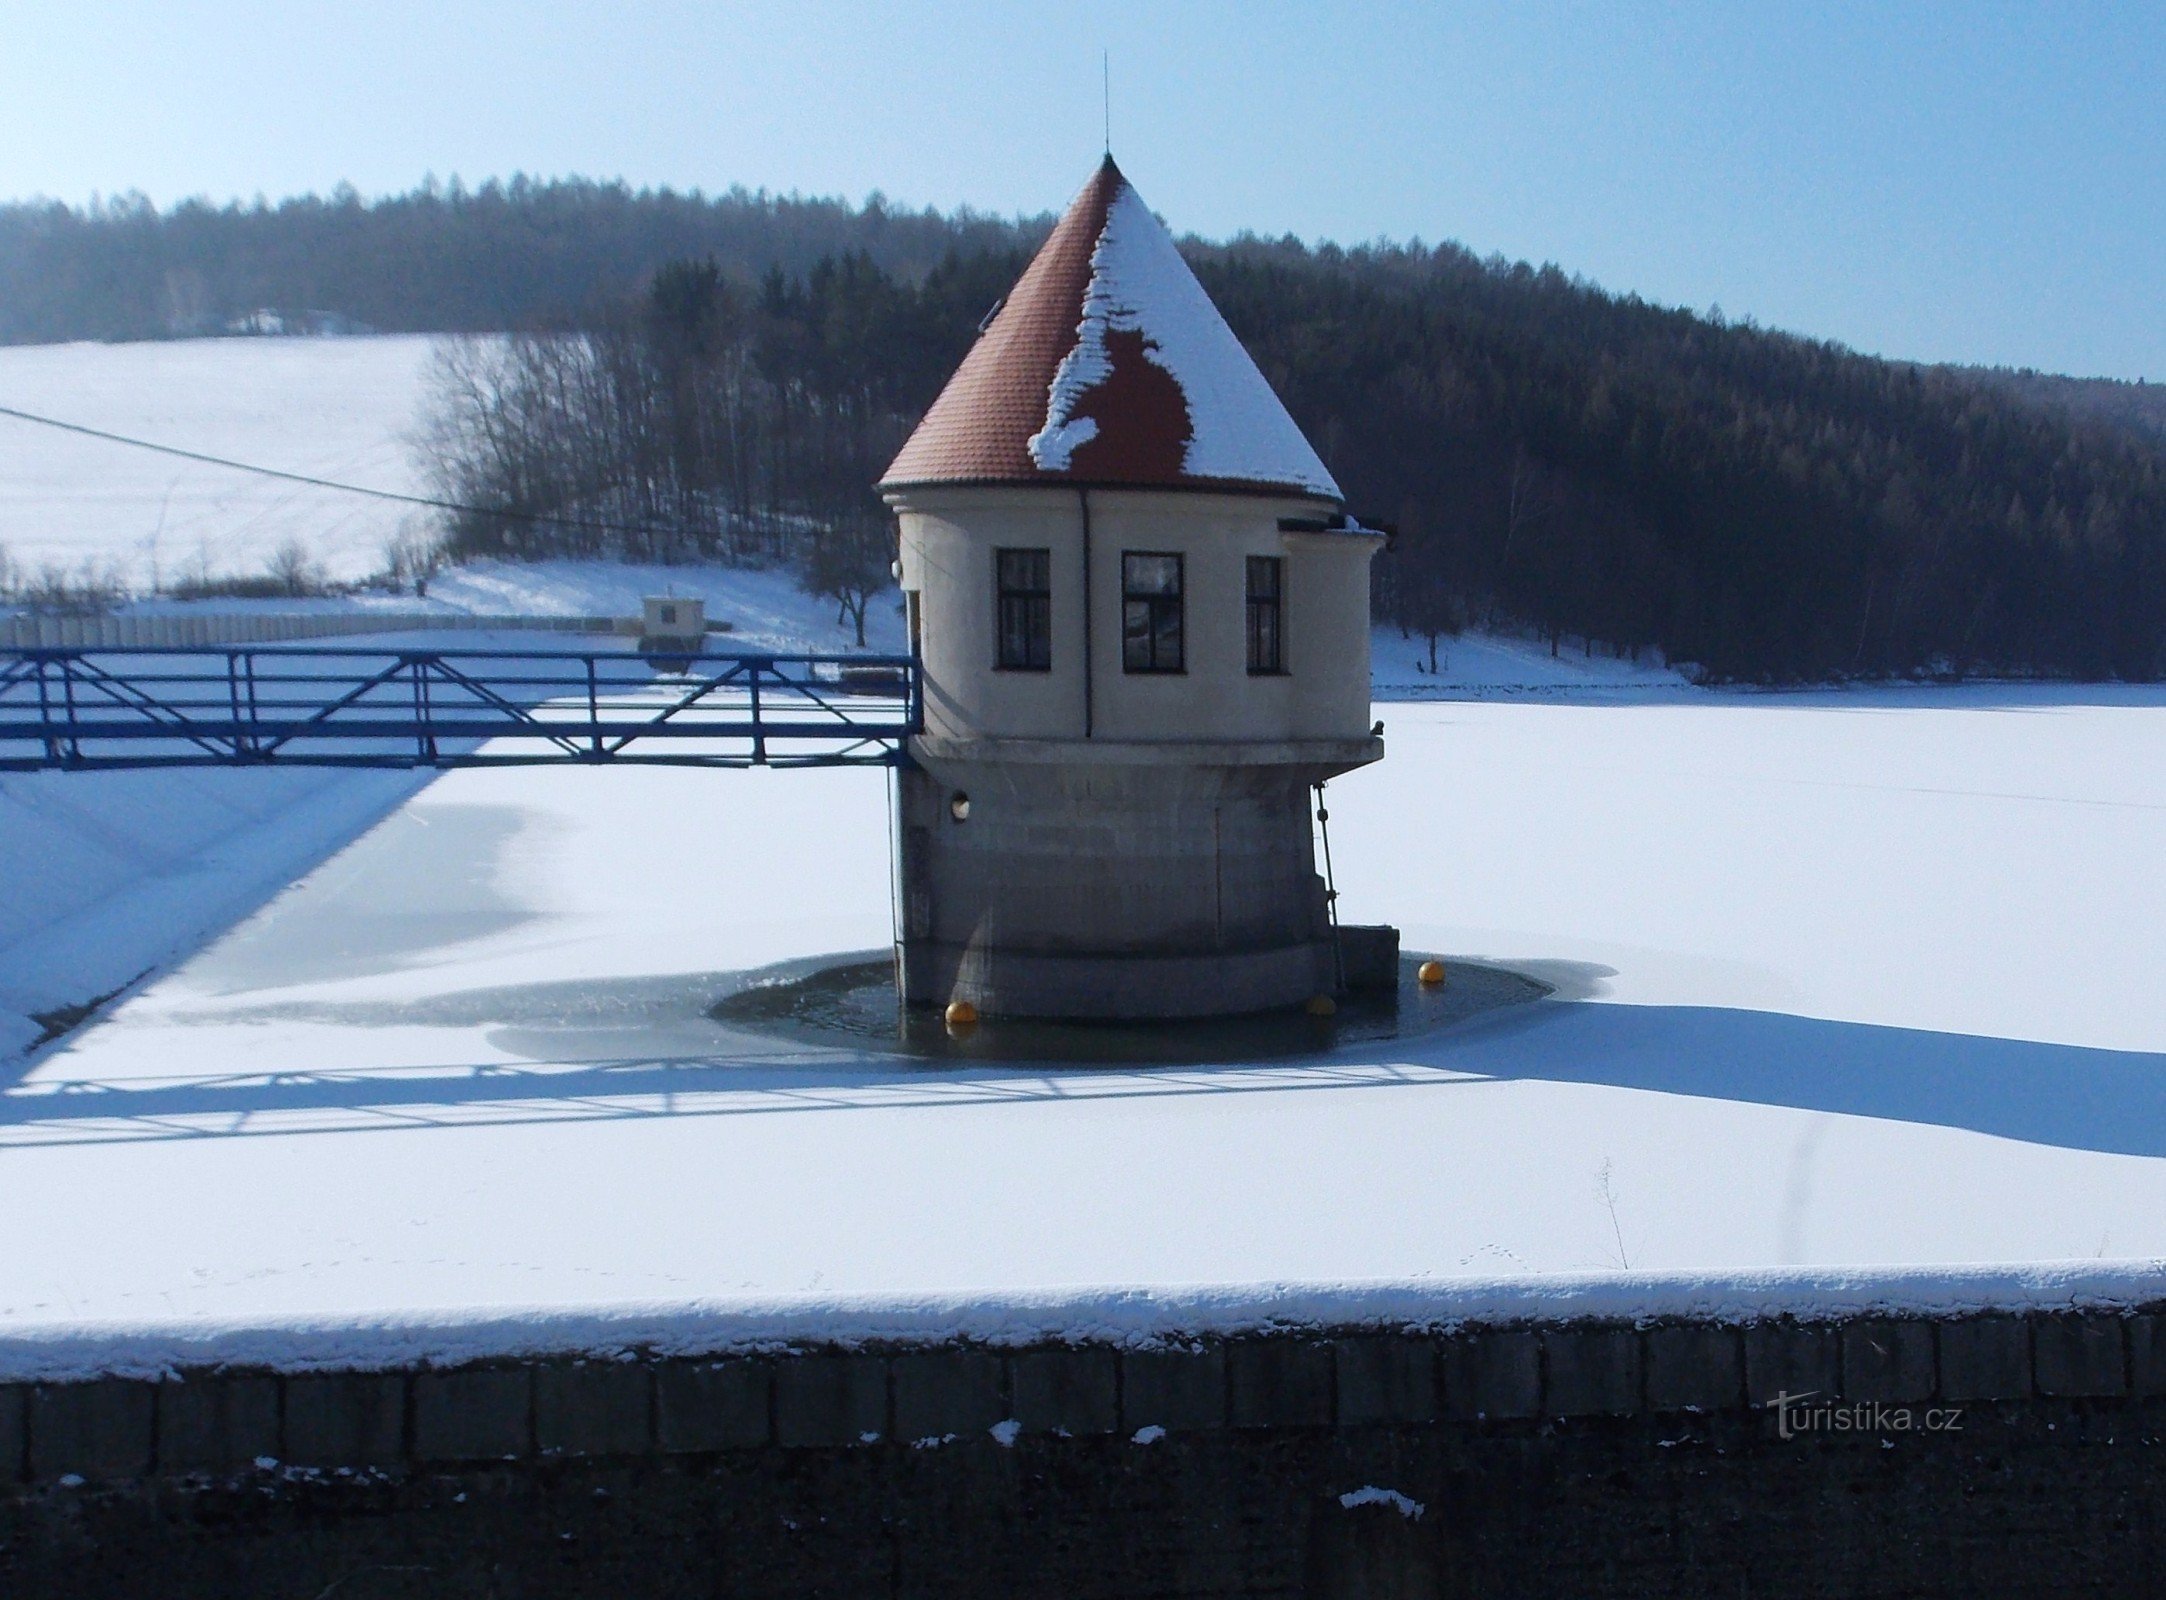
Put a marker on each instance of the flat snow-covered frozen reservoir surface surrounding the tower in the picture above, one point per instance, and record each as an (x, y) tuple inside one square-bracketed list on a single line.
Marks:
[(1857, 1008)]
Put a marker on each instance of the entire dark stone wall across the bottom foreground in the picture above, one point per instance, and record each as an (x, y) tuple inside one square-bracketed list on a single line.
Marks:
[(1541, 1460)]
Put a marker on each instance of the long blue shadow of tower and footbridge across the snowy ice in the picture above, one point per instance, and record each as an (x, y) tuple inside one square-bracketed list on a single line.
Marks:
[(2048, 1094)]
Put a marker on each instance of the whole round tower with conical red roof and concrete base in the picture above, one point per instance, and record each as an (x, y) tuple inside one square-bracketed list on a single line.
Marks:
[(1145, 629)]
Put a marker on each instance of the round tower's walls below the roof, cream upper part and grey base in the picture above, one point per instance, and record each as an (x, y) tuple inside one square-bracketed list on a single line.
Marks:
[(1093, 843)]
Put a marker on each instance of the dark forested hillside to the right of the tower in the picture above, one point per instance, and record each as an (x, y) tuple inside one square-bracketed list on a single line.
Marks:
[(1753, 501)]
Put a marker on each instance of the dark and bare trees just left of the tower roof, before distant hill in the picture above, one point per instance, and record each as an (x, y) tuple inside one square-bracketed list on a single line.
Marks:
[(699, 421)]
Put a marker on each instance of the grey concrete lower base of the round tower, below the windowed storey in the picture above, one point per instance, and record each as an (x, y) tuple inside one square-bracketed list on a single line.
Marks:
[(1114, 880)]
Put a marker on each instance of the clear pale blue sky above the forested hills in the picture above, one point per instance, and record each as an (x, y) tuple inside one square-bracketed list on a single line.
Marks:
[(1979, 183)]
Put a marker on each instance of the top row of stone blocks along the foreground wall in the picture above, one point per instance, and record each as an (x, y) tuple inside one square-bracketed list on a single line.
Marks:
[(906, 1398)]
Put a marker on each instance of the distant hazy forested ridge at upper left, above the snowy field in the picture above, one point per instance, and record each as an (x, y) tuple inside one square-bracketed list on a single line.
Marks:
[(436, 261)]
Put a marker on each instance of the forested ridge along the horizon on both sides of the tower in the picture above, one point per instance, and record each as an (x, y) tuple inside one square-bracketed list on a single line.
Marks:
[(1552, 456)]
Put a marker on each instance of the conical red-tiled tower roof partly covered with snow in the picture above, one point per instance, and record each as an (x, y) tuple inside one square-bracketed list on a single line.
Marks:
[(1110, 365)]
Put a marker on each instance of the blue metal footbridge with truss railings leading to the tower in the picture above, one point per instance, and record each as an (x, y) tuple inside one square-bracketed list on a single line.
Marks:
[(350, 707)]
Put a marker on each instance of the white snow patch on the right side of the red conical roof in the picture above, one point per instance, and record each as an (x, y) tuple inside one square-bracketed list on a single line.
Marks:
[(1143, 287)]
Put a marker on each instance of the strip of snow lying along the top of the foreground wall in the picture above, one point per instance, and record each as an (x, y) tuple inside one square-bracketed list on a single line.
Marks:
[(1099, 1315)]
